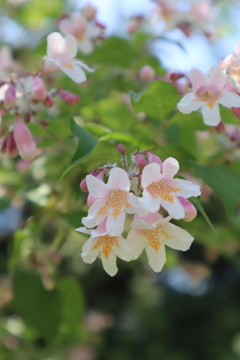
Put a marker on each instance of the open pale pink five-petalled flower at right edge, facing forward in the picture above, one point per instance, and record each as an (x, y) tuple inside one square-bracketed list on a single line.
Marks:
[(208, 92)]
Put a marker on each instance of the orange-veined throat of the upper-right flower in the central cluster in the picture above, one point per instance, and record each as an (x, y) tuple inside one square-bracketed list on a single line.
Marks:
[(162, 189)]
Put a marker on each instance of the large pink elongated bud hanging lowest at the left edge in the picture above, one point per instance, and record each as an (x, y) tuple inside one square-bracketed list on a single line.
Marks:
[(24, 140)]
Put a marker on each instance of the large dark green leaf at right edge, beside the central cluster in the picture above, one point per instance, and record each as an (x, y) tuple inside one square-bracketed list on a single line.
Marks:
[(225, 182)]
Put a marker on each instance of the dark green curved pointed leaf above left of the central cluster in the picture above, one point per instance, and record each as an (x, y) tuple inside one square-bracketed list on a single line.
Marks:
[(86, 142)]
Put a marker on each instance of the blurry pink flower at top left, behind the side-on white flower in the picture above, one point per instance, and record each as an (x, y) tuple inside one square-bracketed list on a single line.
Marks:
[(84, 31)]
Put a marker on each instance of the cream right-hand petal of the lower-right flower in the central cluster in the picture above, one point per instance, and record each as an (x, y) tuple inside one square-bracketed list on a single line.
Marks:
[(180, 238)]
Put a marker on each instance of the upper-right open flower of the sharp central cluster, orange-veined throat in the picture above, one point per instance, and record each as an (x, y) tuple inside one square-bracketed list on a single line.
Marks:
[(161, 189)]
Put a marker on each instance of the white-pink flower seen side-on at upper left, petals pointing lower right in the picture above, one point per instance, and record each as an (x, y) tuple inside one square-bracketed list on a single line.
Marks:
[(60, 55)]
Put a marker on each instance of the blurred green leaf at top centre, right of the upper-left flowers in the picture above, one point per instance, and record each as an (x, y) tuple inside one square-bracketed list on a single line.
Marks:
[(115, 52)]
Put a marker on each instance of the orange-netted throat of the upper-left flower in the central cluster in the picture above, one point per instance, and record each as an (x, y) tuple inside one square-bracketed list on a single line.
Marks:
[(117, 199)]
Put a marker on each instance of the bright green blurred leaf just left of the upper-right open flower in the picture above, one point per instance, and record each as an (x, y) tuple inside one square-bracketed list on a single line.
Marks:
[(157, 101)]
